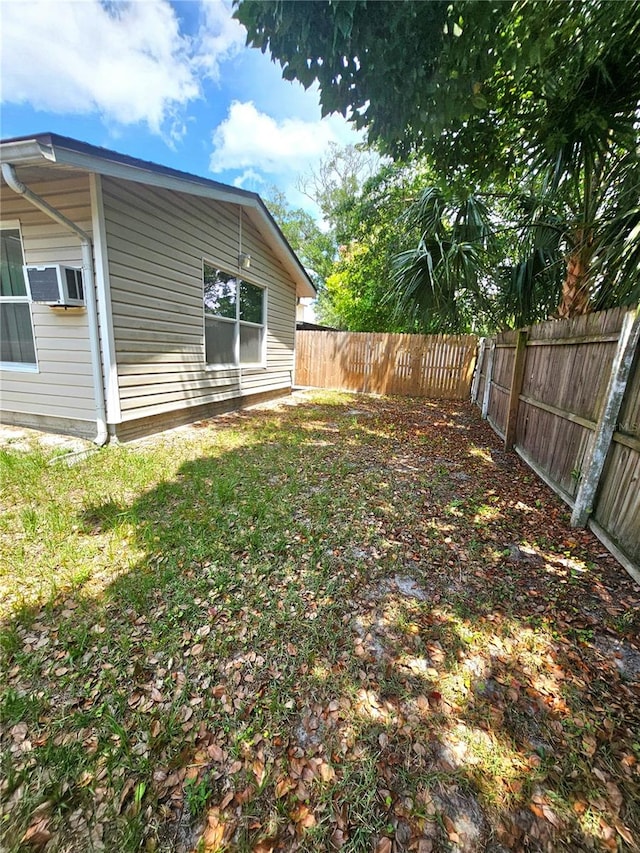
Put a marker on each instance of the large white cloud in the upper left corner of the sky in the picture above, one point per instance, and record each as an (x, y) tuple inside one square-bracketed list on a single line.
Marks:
[(127, 61)]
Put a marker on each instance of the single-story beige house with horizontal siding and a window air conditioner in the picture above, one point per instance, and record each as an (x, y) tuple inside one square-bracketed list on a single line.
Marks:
[(136, 297)]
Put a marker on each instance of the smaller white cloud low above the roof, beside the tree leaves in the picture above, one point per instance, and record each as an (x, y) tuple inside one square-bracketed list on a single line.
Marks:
[(250, 139)]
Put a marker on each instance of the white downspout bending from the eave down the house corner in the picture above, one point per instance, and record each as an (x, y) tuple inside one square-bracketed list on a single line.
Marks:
[(9, 174)]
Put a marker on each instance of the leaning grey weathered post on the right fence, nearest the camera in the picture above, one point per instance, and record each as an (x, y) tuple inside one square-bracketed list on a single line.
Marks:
[(603, 435)]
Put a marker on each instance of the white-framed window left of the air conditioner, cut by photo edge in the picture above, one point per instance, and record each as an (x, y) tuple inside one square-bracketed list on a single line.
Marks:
[(17, 347)]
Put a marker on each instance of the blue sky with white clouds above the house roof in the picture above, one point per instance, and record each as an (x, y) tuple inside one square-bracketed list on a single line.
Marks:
[(167, 81)]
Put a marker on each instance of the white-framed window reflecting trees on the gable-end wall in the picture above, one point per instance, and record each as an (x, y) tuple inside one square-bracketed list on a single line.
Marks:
[(233, 319)]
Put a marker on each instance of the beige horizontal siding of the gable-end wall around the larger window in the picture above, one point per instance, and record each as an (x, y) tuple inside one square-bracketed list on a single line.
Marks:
[(156, 241)]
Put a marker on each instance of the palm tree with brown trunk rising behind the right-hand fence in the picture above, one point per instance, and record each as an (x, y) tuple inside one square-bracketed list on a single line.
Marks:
[(583, 150)]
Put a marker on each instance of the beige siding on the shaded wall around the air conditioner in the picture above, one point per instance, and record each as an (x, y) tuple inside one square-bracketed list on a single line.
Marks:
[(63, 385)]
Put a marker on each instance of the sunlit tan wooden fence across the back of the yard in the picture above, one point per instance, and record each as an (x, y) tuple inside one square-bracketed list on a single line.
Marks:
[(437, 366)]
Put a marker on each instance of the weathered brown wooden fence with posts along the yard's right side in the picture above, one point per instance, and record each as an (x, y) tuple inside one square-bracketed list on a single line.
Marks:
[(566, 395)]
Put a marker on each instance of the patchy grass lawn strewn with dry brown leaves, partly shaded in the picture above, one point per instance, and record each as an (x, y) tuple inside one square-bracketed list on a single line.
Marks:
[(351, 623)]
